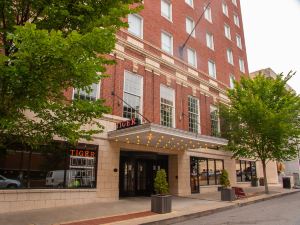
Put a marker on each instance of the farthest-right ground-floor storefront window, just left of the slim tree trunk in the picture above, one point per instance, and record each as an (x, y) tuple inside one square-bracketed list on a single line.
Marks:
[(245, 170)]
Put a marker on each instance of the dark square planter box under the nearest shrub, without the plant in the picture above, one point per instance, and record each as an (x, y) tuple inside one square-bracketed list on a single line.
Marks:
[(161, 203)]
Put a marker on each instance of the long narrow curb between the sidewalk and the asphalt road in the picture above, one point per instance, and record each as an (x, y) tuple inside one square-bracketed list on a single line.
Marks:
[(183, 218)]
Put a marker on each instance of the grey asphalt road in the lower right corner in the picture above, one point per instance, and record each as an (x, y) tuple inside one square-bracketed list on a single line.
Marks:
[(279, 211)]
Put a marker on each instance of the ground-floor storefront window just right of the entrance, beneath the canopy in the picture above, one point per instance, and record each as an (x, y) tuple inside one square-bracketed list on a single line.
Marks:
[(205, 172)]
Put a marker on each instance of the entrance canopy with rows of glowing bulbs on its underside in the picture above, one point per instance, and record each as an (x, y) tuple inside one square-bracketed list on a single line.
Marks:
[(158, 136)]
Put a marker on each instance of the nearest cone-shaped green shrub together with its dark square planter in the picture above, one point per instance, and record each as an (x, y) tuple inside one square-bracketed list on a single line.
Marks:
[(161, 202)]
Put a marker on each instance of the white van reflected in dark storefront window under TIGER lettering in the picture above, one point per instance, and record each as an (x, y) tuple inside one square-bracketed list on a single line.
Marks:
[(74, 178)]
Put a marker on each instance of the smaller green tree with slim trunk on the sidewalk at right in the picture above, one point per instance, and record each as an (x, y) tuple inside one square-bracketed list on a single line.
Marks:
[(262, 121)]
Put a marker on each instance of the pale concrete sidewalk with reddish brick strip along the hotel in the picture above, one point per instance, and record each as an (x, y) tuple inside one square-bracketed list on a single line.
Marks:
[(130, 211)]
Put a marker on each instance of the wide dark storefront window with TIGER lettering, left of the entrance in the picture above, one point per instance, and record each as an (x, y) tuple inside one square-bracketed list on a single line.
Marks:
[(52, 166)]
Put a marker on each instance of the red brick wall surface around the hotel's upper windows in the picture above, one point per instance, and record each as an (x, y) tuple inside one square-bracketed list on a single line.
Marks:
[(154, 23)]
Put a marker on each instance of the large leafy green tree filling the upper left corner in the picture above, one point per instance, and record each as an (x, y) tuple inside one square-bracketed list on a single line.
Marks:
[(48, 47)]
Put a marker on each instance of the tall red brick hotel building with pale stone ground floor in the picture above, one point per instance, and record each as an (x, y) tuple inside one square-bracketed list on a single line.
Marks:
[(173, 92)]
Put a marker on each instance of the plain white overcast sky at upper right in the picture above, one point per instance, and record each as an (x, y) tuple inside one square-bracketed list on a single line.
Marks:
[(272, 33)]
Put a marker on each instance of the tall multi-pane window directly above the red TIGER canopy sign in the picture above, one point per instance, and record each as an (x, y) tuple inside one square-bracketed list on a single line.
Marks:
[(133, 90)]
